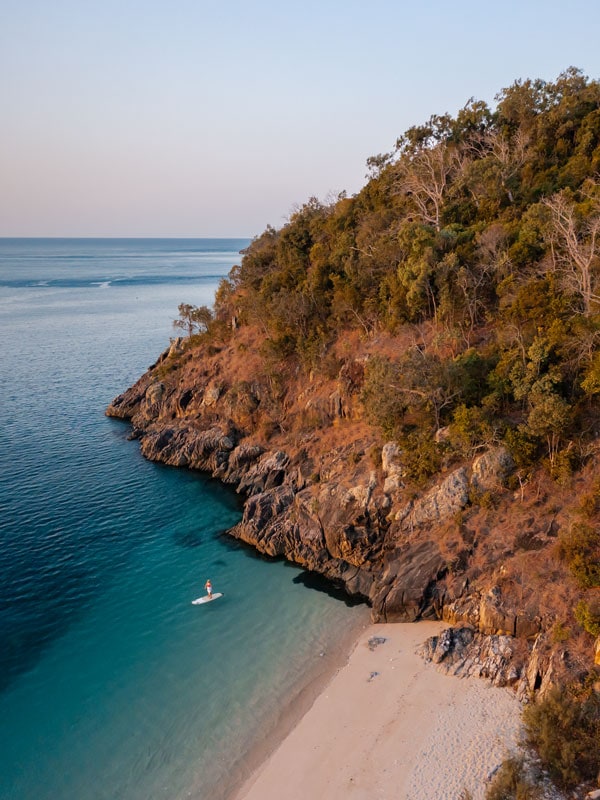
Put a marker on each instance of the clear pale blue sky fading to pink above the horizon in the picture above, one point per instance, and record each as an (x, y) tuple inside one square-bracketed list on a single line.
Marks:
[(213, 118)]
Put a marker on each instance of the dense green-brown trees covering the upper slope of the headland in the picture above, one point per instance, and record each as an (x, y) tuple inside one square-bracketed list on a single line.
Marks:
[(480, 236)]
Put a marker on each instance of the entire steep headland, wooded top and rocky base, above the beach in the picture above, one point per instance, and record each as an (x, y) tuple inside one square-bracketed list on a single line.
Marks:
[(405, 385)]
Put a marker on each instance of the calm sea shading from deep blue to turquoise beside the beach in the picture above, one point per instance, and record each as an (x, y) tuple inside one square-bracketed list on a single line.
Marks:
[(112, 685)]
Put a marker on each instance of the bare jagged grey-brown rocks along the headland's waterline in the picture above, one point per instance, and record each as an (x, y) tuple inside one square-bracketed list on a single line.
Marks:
[(354, 528)]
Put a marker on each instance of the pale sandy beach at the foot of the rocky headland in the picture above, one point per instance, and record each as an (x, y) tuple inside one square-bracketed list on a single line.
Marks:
[(388, 726)]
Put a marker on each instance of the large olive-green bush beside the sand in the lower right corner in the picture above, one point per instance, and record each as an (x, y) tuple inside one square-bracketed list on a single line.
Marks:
[(565, 731)]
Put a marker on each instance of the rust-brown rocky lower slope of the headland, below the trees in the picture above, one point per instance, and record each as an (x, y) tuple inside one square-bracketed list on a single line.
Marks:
[(328, 495)]
